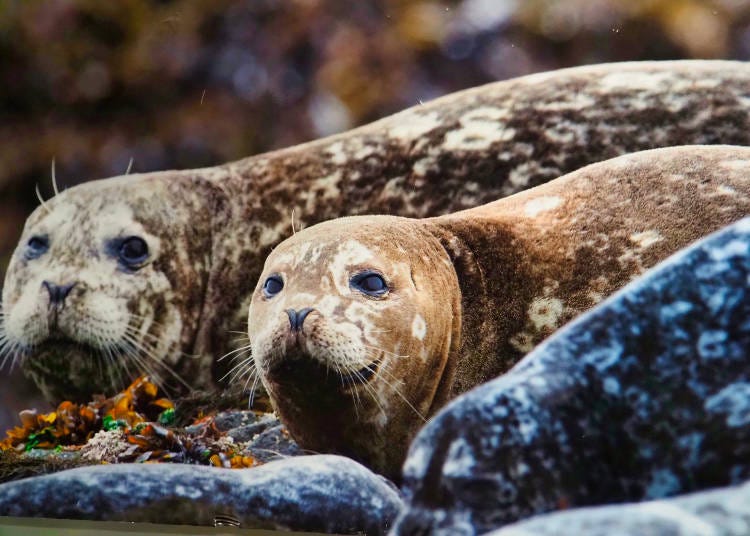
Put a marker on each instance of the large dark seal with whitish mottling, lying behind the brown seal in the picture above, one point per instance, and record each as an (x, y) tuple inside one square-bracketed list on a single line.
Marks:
[(152, 273)]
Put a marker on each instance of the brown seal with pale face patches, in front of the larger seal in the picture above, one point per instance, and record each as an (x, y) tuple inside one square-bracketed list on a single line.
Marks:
[(363, 327)]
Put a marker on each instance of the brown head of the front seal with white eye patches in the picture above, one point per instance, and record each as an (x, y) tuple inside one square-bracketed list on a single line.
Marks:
[(357, 328)]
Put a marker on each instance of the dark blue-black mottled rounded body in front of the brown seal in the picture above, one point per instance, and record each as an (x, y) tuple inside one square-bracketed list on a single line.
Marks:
[(646, 396)]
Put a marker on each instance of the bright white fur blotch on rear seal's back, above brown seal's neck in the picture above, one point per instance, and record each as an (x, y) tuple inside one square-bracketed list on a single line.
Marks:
[(480, 128)]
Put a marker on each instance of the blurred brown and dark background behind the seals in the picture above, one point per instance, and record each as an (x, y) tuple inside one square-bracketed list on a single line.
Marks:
[(189, 83)]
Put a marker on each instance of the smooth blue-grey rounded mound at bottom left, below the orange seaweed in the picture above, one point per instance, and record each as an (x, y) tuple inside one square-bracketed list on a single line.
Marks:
[(310, 493)]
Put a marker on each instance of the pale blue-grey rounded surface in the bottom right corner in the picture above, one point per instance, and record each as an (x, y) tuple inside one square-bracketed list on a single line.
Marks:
[(723, 512)]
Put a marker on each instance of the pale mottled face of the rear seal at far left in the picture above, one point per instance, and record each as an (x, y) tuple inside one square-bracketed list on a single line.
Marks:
[(93, 290)]
